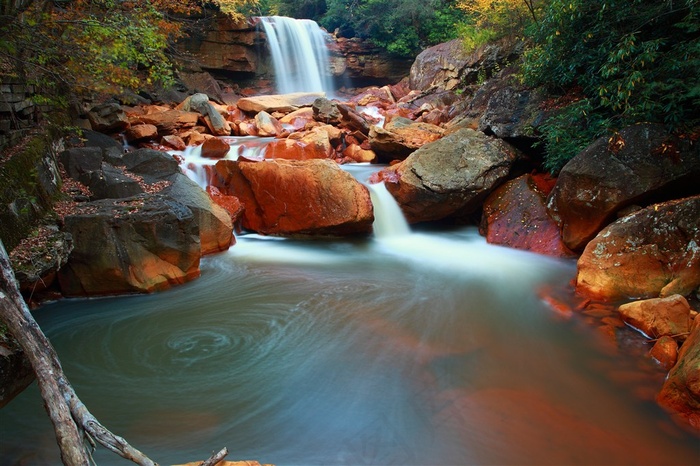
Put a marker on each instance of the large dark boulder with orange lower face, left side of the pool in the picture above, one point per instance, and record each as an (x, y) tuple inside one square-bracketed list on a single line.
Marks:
[(136, 245)]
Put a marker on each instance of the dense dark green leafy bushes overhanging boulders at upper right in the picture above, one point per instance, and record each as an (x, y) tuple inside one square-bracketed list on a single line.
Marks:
[(635, 60)]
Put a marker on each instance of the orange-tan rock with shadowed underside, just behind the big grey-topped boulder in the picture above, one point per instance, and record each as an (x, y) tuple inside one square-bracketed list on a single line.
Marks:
[(402, 136)]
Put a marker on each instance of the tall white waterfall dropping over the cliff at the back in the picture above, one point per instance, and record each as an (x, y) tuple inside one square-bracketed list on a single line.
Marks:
[(299, 54)]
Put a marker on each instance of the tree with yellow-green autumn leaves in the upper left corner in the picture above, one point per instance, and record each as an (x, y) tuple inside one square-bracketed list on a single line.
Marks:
[(83, 47)]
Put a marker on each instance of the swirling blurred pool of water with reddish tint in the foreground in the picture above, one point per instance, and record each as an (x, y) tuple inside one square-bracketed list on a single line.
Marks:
[(424, 349)]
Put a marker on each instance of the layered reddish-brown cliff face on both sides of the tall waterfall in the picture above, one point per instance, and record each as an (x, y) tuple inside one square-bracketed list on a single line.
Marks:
[(238, 50)]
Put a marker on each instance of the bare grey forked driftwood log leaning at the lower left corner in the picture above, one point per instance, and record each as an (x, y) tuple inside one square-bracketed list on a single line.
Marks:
[(76, 428)]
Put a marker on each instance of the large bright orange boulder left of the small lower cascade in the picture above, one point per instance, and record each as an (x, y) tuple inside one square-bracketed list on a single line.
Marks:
[(286, 197)]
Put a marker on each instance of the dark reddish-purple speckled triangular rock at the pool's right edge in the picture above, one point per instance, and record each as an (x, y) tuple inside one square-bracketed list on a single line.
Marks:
[(515, 215)]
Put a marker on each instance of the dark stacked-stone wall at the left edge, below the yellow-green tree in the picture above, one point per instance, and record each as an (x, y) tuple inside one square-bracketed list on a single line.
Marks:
[(18, 113)]
